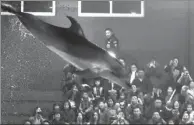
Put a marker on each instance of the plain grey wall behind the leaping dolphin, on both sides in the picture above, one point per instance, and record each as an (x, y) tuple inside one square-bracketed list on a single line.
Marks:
[(35, 71)]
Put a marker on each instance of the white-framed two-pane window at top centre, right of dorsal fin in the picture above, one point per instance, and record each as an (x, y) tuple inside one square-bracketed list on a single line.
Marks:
[(116, 8)]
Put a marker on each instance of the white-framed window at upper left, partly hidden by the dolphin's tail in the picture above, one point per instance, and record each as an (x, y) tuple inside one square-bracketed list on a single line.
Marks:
[(37, 8)]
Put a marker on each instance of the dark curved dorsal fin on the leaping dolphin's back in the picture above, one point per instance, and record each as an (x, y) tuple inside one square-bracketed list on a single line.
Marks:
[(75, 27)]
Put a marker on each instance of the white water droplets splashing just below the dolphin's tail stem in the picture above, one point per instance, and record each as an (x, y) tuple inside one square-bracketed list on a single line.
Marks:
[(16, 25)]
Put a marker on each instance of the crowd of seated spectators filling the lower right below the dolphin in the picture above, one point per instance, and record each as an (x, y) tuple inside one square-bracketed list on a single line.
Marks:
[(156, 96)]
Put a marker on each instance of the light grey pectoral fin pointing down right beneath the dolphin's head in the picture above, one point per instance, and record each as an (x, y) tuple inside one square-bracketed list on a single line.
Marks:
[(109, 76)]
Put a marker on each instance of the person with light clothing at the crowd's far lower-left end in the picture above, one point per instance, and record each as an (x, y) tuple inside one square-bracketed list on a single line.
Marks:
[(37, 118)]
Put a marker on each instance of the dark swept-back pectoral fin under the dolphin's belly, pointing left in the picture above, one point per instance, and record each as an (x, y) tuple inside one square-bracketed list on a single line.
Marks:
[(87, 73)]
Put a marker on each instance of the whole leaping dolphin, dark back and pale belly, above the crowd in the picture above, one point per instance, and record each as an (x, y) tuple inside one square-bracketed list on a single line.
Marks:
[(72, 46)]
